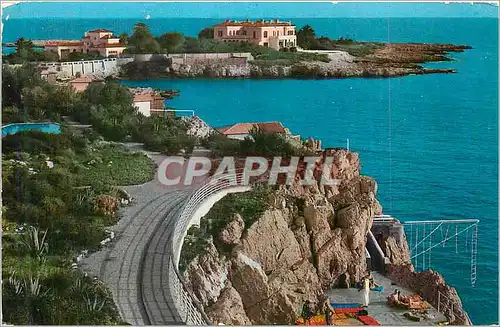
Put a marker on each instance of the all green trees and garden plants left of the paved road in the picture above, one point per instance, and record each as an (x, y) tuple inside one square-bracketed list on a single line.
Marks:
[(60, 193)]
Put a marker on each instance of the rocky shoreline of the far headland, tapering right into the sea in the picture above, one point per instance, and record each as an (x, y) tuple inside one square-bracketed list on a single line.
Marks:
[(387, 60)]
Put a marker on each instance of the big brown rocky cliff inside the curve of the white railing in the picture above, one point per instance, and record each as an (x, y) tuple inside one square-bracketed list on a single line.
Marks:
[(309, 238)]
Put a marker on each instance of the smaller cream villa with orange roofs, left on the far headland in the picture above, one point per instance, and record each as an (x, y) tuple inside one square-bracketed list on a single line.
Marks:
[(100, 40)]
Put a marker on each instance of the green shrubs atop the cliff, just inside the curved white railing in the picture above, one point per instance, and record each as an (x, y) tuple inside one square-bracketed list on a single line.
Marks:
[(250, 205)]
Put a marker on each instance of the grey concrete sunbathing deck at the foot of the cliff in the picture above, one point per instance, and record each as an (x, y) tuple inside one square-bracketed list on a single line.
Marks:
[(378, 307)]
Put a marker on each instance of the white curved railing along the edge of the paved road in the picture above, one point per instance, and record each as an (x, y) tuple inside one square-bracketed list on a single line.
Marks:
[(189, 308)]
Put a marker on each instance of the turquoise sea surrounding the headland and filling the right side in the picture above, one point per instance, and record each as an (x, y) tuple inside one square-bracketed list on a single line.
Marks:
[(430, 141)]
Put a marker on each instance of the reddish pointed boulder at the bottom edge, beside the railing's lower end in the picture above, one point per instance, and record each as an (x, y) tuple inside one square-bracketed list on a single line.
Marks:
[(228, 309)]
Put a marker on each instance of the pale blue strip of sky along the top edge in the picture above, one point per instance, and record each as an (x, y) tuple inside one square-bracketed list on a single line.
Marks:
[(224, 10)]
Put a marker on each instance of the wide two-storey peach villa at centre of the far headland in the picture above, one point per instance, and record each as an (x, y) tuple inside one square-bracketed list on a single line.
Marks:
[(273, 34)]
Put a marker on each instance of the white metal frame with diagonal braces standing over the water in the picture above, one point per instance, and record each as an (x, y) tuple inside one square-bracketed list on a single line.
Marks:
[(424, 236)]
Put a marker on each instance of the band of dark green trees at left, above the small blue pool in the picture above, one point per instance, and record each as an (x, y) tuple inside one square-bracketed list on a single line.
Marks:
[(108, 107)]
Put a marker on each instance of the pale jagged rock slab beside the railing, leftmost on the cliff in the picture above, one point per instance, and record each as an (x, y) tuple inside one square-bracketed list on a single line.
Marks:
[(207, 275)]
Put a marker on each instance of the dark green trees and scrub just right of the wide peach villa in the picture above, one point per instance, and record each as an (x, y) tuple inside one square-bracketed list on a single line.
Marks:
[(306, 38)]
